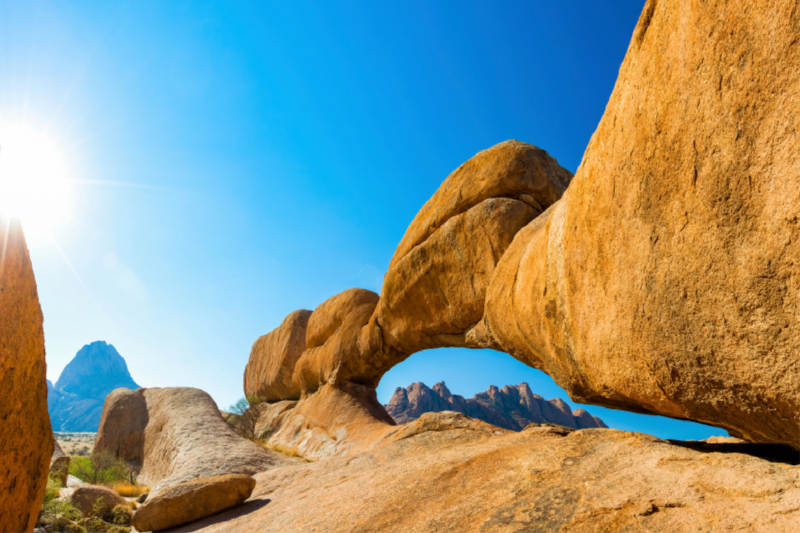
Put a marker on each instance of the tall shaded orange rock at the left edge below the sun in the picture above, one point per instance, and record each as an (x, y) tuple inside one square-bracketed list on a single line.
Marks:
[(26, 437)]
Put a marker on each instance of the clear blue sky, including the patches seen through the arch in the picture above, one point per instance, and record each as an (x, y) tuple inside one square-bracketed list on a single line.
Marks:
[(236, 161)]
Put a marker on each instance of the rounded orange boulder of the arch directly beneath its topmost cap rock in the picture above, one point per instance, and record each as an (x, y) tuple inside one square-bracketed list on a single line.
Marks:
[(433, 295)]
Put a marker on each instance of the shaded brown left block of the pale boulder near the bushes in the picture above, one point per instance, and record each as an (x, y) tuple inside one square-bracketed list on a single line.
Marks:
[(122, 424)]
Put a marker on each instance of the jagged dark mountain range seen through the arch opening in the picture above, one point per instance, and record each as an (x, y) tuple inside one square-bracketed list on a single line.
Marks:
[(512, 407)]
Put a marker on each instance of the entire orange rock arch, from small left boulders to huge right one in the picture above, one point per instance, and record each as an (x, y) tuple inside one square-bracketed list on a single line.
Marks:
[(665, 281)]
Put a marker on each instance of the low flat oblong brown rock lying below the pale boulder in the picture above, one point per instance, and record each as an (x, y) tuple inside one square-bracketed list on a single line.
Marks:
[(192, 500)]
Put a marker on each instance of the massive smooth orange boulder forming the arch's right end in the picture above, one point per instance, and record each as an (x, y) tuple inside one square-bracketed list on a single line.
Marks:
[(667, 280)]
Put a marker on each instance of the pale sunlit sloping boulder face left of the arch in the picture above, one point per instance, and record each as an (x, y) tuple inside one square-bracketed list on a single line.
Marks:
[(186, 439)]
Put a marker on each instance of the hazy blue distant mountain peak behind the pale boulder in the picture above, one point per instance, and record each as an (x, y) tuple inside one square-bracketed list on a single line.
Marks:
[(75, 402)]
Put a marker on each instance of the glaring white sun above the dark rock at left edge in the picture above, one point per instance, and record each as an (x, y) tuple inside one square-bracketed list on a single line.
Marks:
[(33, 181)]
